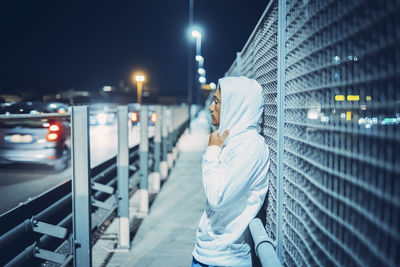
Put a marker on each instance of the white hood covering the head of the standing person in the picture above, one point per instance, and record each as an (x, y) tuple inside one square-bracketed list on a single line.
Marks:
[(241, 104)]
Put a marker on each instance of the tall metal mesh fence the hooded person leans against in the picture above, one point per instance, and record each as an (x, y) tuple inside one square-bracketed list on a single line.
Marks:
[(330, 74)]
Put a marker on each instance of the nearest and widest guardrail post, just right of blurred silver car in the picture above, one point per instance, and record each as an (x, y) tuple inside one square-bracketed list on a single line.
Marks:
[(81, 187)]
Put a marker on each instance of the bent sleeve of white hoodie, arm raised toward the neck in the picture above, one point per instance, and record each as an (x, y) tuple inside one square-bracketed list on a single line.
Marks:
[(226, 180)]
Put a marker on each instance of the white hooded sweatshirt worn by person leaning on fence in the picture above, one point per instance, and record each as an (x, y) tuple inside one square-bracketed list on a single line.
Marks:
[(234, 177)]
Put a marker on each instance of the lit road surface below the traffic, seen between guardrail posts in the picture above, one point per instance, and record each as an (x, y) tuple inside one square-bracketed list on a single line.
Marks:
[(19, 182)]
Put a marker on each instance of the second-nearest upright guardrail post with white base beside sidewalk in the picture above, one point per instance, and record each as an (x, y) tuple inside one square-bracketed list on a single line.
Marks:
[(123, 178)]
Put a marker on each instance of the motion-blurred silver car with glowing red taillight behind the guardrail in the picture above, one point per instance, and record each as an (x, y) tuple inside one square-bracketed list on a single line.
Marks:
[(35, 140)]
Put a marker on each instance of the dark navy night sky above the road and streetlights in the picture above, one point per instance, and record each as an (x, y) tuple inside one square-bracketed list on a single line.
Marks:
[(52, 45)]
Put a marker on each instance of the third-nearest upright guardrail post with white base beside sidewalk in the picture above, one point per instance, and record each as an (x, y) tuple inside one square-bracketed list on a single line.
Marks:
[(144, 161)]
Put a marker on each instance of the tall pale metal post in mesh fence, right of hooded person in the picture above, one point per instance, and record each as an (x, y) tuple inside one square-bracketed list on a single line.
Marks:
[(280, 122)]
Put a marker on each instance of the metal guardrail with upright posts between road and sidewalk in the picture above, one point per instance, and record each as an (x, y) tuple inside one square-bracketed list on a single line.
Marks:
[(59, 225)]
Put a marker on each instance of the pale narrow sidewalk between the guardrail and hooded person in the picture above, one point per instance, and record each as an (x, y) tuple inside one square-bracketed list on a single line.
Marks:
[(166, 236)]
